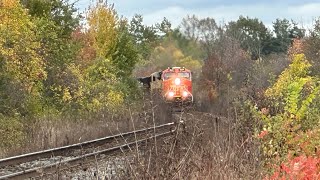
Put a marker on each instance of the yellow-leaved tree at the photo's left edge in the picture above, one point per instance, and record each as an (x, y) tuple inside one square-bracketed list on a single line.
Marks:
[(22, 67)]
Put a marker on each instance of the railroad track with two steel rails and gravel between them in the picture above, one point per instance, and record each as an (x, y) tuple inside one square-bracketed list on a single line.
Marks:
[(29, 165)]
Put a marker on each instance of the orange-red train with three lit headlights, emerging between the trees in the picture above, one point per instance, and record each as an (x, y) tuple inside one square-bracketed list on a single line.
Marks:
[(174, 84)]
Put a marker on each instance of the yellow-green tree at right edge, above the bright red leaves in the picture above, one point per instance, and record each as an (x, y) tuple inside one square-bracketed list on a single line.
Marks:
[(294, 113)]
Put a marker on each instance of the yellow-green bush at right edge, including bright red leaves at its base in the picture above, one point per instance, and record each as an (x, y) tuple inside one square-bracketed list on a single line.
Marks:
[(291, 132)]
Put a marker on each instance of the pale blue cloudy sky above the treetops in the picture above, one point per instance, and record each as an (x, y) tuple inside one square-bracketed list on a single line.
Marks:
[(153, 11)]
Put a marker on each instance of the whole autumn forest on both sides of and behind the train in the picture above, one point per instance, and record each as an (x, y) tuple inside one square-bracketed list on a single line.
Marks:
[(60, 68)]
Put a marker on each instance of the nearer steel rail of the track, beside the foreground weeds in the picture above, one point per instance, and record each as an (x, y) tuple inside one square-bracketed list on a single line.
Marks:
[(35, 172)]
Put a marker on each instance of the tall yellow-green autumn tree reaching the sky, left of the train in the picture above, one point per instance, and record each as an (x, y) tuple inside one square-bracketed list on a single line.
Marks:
[(108, 79)]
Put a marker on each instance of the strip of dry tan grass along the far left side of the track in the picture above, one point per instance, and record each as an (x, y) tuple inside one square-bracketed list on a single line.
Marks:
[(51, 130)]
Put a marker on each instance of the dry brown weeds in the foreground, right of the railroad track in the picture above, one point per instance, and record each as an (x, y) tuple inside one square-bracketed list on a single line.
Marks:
[(208, 147)]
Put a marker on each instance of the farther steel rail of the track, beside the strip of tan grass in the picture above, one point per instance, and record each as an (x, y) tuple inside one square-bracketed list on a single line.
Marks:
[(61, 150)]
